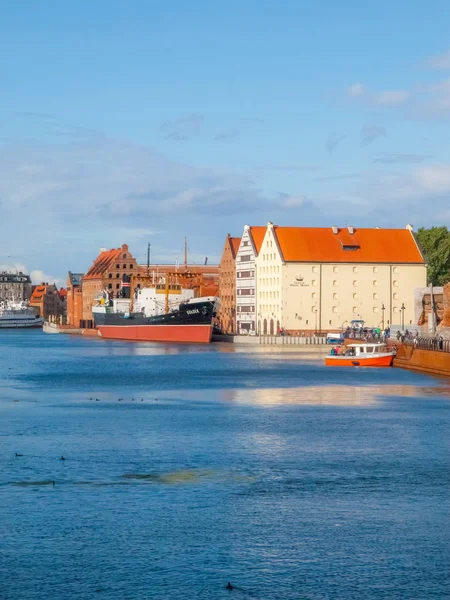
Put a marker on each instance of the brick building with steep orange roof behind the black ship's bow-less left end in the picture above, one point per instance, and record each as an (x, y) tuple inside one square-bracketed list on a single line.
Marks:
[(110, 270)]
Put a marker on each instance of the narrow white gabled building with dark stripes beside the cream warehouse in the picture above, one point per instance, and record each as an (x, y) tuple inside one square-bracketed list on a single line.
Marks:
[(249, 248)]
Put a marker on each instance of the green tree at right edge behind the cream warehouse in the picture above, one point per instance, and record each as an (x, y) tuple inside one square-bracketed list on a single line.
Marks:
[(435, 246)]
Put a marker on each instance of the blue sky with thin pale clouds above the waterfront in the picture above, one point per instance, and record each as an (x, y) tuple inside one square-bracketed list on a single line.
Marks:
[(147, 121)]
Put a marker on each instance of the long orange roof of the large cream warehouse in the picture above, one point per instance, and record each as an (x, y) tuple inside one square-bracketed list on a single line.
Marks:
[(310, 244)]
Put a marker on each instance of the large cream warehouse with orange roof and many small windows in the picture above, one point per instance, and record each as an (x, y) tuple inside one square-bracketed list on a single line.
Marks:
[(320, 279)]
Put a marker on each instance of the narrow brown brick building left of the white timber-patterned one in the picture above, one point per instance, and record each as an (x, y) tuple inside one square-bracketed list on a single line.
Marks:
[(227, 285)]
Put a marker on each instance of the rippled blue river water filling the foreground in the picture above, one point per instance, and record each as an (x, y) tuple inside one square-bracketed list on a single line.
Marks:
[(260, 467)]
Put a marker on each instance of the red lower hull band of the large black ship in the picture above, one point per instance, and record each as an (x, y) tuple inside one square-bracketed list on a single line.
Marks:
[(200, 334)]
